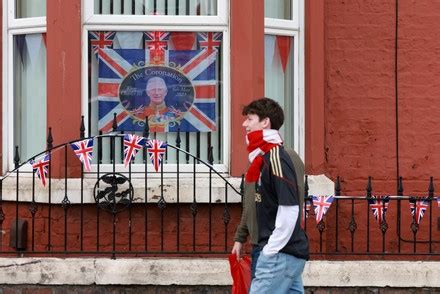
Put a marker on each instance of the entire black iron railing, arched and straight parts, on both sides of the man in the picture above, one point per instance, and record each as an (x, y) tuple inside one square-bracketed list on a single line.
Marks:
[(187, 209)]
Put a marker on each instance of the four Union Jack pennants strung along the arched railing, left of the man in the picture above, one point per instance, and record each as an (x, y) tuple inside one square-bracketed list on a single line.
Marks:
[(84, 151)]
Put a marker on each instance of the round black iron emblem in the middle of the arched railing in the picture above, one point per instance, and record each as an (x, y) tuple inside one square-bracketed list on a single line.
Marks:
[(113, 192)]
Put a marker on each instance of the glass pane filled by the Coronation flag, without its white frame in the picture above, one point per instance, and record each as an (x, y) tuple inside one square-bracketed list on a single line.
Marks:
[(173, 78)]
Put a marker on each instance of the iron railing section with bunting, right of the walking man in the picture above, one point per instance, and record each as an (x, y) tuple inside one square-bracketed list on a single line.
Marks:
[(373, 224)]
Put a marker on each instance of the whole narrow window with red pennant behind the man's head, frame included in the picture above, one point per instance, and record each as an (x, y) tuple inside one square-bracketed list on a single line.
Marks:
[(284, 66)]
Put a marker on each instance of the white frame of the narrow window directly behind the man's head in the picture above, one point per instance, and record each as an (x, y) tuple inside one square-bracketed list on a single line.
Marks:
[(294, 28)]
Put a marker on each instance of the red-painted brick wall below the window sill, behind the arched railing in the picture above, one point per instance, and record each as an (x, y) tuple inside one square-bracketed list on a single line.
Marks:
[(150, 230)]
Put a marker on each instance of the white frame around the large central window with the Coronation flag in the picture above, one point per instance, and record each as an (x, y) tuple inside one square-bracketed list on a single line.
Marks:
[(219, 23)]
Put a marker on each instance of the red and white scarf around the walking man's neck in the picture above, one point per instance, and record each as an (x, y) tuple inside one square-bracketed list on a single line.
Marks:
[(259, 143)]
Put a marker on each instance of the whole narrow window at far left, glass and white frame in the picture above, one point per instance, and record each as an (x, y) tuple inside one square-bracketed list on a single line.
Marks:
[(24, 91)]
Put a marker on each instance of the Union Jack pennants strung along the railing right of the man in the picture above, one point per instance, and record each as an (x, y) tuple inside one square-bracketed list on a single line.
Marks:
[(378, 204)]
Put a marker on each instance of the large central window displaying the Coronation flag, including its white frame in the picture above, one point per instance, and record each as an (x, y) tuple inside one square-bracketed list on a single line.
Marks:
[(156, 55)]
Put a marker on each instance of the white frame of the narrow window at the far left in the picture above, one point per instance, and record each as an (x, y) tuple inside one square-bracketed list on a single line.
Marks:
[(13, 26)]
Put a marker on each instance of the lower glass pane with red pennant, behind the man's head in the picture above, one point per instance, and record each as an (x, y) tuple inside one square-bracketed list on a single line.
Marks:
[(278, 79)]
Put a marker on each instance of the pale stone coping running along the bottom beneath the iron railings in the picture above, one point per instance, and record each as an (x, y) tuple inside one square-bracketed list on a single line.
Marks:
[(208, 271)]
